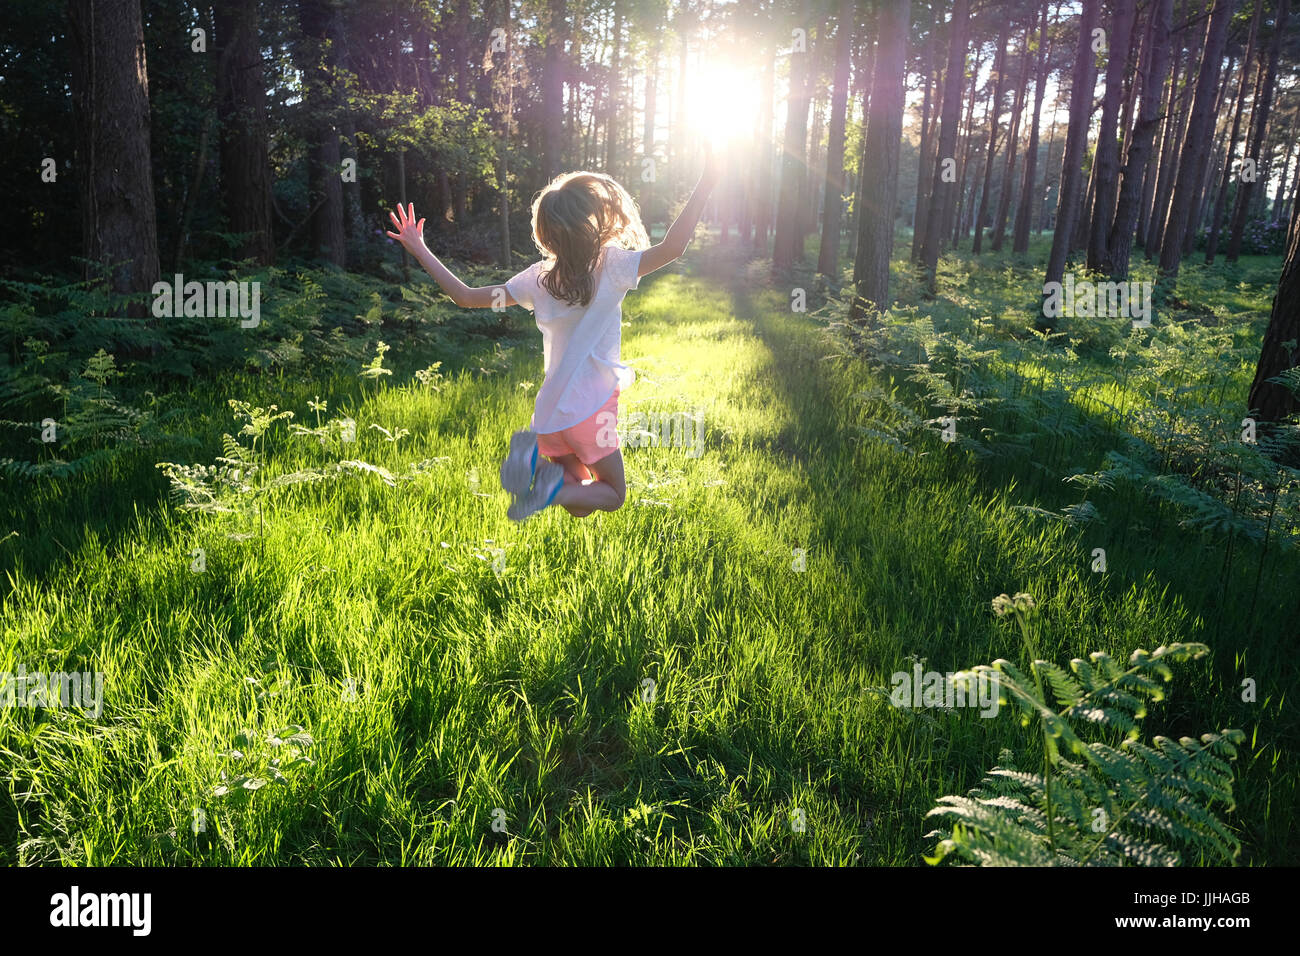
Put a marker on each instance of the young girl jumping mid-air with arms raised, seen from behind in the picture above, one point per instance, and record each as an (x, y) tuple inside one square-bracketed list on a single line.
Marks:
[(596, 250)]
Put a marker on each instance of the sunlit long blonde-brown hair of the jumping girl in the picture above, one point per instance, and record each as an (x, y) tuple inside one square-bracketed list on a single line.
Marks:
[(574, 219)]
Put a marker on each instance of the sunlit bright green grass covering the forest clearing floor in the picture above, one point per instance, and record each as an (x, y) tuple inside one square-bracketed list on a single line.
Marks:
[(437, 689)]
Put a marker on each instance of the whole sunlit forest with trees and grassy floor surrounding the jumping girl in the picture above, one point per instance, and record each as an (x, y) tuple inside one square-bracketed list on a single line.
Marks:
[(978, 388)]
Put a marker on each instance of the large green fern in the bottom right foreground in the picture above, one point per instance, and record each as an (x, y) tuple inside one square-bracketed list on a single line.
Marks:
[(1094, 803)]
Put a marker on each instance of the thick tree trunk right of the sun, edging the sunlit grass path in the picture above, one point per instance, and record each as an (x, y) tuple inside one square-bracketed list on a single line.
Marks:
[(881, 155)]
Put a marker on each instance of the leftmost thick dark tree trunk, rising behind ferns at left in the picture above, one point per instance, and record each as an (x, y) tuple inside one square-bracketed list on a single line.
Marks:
[(111, 105)]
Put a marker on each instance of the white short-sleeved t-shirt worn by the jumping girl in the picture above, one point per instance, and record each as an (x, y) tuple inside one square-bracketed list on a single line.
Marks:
[(597, 370)]
